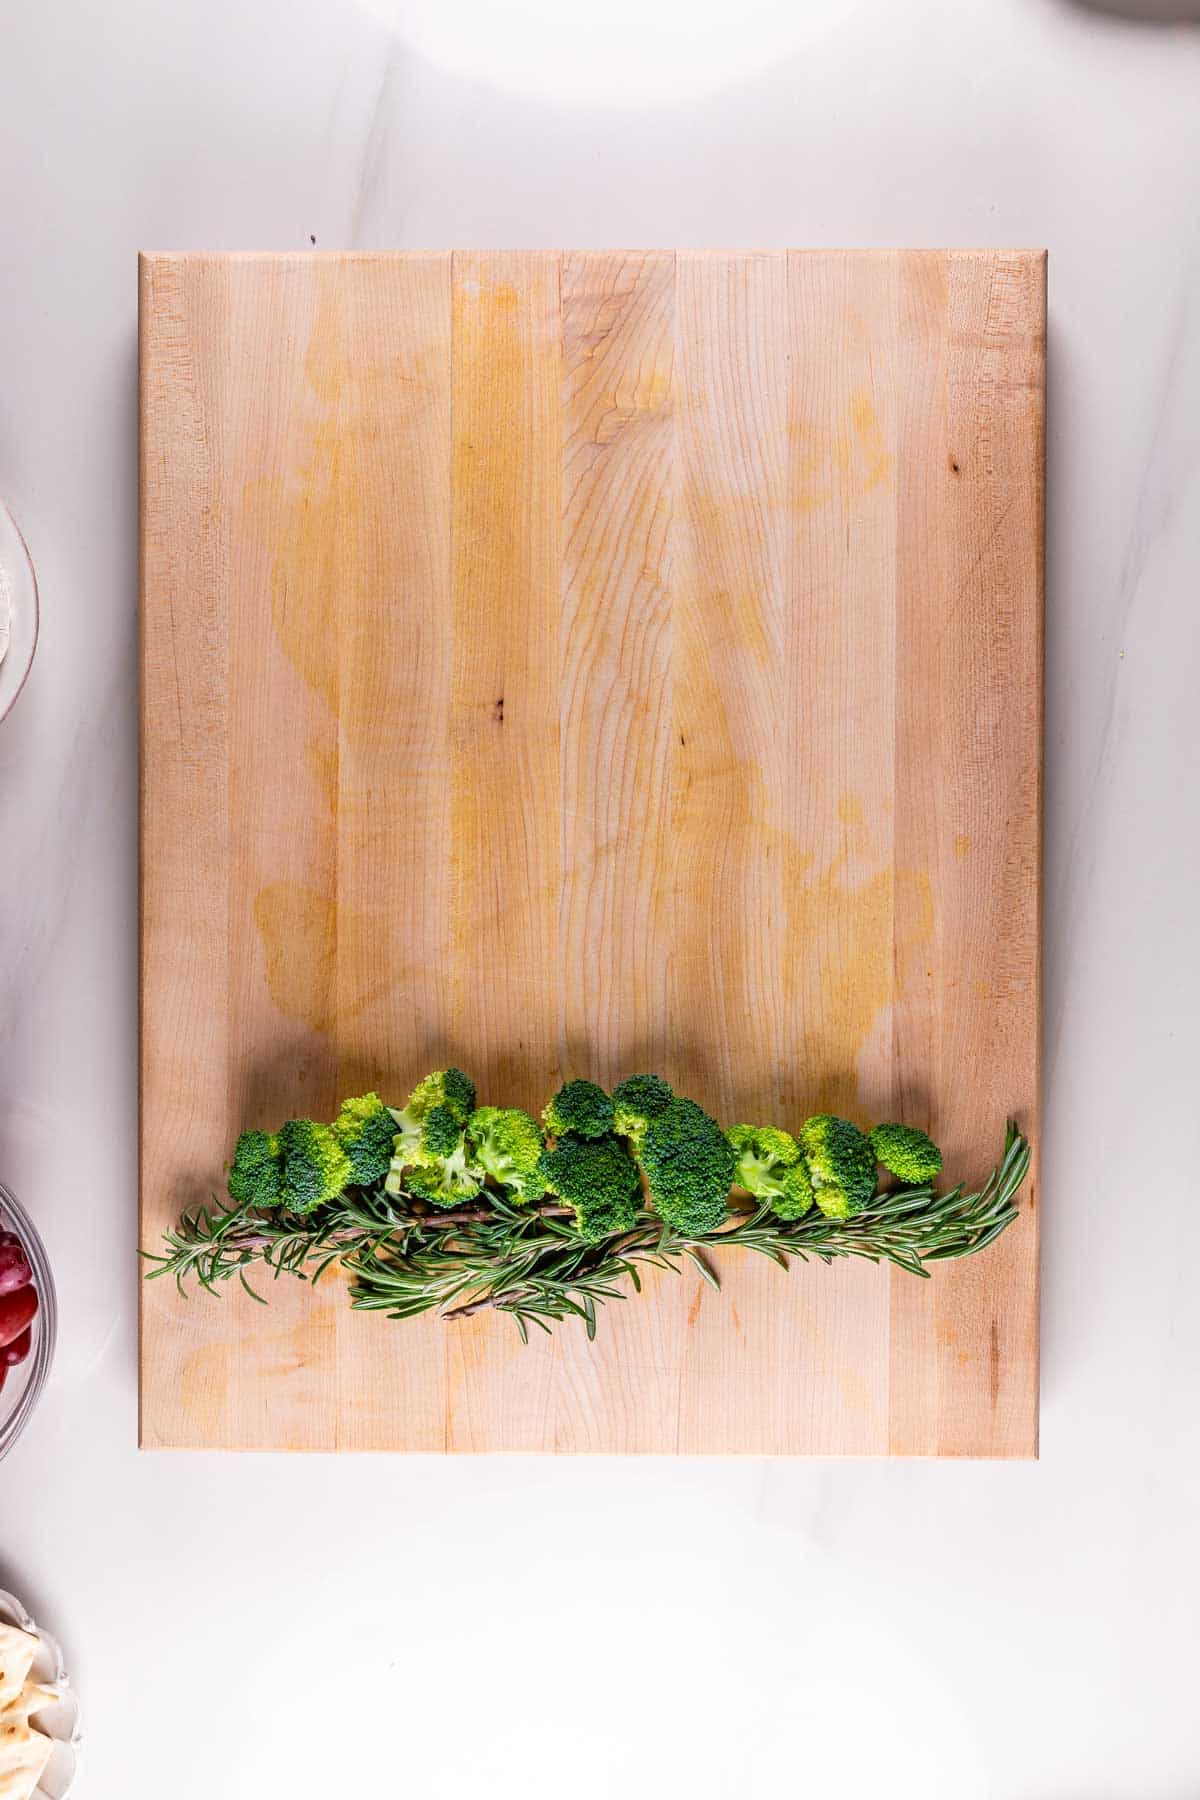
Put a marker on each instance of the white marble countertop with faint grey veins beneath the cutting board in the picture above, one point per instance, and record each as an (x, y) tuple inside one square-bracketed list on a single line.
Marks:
[(719, 1630)]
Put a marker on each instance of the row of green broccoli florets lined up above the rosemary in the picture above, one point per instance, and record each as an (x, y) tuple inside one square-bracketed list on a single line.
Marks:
[(591, 1153)]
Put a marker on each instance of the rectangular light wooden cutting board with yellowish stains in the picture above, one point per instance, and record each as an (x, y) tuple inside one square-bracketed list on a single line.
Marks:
[(571, 665)]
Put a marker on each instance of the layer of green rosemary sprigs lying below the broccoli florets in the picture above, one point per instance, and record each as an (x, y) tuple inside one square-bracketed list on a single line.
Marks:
[(532, 1263)]
